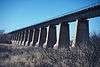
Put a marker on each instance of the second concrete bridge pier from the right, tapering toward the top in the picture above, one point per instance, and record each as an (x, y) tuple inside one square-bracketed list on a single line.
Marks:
[(64, 37)]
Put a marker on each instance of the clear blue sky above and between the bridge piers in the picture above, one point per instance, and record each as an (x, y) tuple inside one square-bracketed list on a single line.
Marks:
[(16, 14)]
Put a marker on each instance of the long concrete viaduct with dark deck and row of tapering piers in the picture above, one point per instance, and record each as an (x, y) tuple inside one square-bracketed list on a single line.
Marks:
[(44, 34)]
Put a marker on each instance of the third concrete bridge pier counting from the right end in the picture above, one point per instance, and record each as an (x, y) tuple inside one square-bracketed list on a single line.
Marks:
[(51, 41)]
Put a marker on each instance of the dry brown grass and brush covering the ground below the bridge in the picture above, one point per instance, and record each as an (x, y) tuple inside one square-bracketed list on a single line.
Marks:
[(87, 55)]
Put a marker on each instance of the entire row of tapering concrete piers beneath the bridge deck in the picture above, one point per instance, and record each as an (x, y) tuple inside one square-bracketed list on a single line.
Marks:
[(47, 36)]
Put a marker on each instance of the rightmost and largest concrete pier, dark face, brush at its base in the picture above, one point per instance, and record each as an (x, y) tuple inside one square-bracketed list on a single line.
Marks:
[(82, 34)]
